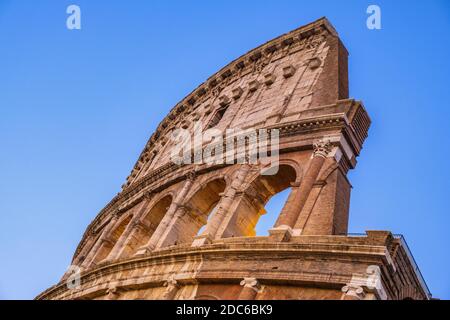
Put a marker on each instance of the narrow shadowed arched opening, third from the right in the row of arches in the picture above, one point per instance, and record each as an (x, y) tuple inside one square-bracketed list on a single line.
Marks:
[(150, 221)]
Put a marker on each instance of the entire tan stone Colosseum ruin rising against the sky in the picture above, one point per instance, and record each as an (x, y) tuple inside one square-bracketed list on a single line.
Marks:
[(158, 239)]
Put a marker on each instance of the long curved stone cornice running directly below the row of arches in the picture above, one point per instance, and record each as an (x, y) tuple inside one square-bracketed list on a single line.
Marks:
[(244, 247)]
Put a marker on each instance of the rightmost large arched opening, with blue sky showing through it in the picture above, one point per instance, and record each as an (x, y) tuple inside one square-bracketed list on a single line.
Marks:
[(254, 200)]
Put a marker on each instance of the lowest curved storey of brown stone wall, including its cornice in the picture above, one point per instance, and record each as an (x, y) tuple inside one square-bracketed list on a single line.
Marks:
[(306, 267)]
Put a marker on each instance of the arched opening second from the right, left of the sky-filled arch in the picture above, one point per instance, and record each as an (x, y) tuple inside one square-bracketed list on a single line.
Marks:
[(199, 208)]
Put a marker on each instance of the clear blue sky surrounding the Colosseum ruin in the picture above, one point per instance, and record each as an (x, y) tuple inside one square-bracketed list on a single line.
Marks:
[(77, 107)]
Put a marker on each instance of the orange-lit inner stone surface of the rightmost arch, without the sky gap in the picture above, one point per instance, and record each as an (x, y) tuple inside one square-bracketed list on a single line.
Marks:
[(254, 196)]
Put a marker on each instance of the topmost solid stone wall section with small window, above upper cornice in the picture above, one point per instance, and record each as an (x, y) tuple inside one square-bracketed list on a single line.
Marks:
[(273, 83)]
